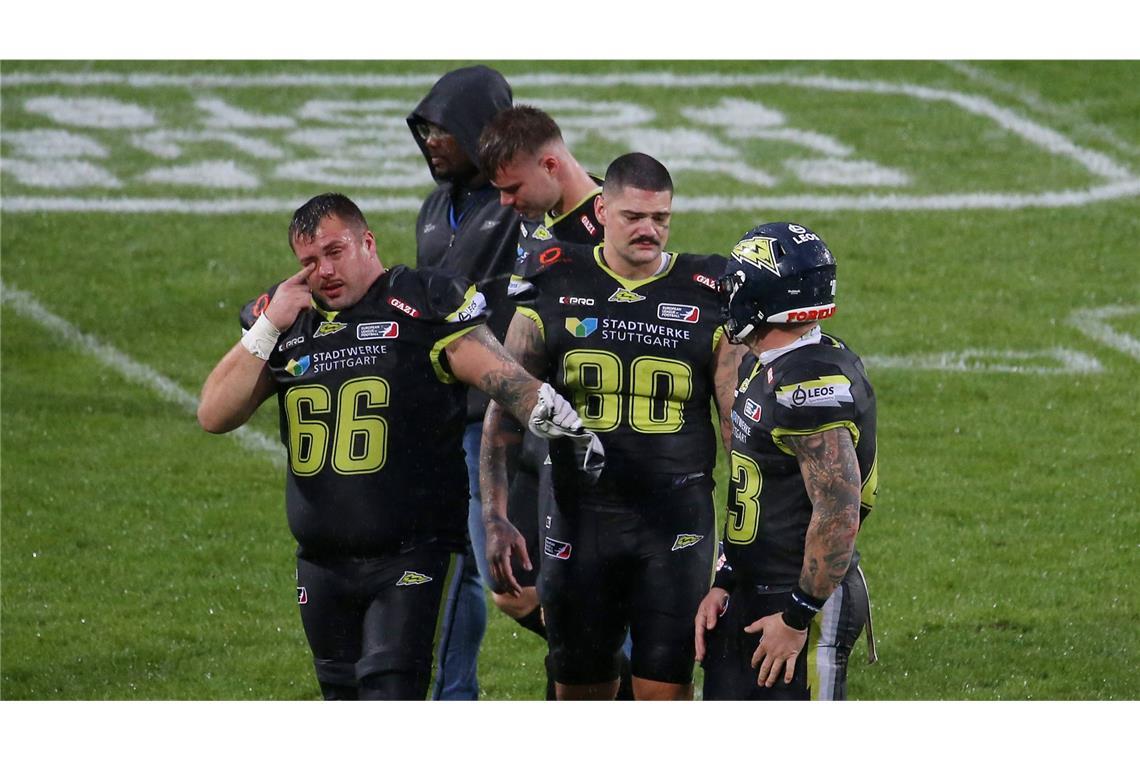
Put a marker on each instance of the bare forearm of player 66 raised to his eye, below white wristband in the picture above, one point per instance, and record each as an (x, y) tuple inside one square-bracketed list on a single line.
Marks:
[(234, 391)]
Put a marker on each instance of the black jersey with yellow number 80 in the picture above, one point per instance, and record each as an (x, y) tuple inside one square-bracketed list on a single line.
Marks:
[(636, 358)]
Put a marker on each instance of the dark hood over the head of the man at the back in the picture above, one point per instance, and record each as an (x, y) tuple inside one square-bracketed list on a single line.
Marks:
[(462, 102)]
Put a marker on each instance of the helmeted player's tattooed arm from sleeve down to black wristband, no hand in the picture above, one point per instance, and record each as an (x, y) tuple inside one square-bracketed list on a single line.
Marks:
[(832, 477)]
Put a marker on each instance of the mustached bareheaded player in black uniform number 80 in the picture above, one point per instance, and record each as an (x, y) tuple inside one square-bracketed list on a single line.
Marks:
[(631, 334)]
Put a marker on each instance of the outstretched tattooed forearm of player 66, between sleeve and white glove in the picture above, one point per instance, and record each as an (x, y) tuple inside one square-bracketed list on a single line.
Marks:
[(482, 362)]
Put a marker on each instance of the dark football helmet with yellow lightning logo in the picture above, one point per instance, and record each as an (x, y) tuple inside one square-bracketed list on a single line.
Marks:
[(778, 274)]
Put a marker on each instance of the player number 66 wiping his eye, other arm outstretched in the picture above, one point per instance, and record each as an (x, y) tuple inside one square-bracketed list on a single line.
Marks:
[(370, 367)]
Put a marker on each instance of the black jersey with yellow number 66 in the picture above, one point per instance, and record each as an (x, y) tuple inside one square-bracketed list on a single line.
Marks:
[(373, 419)]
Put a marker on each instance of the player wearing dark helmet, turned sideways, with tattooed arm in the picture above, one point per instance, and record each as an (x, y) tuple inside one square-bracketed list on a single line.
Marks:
[(803, 468)]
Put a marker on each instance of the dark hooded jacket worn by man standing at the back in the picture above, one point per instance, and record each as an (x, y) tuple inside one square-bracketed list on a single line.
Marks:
[(462, 230)]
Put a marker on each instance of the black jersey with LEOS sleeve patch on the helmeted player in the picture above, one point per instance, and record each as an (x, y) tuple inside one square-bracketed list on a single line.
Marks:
[(808, 390)]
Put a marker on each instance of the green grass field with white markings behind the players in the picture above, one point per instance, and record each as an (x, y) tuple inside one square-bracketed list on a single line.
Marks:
[(986, 217)]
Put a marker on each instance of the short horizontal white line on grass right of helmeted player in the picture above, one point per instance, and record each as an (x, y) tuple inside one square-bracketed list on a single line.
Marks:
[(1054, 362)]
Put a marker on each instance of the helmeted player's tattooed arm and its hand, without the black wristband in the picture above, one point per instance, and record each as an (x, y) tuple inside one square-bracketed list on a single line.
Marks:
[(832, 477)]
